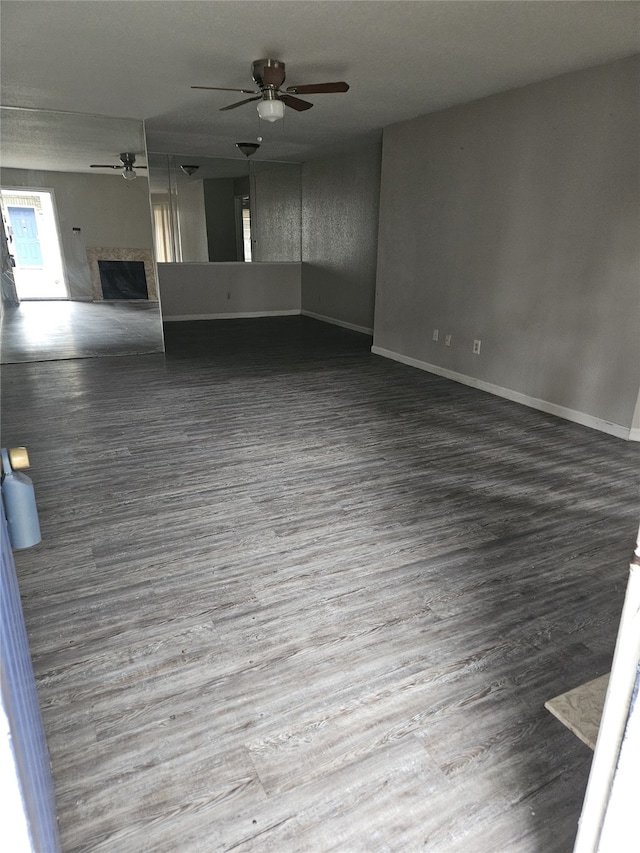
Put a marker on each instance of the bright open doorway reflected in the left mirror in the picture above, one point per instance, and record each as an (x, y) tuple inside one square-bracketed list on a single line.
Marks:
[(34, 243)]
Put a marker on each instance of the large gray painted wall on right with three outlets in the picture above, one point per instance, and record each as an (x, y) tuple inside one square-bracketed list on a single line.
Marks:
[(515, 220)]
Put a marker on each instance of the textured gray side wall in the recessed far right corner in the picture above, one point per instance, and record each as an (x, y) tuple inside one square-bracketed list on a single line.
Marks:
[(340, 197)]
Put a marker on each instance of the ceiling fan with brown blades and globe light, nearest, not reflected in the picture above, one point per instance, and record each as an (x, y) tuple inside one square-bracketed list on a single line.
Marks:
[(269, 75)]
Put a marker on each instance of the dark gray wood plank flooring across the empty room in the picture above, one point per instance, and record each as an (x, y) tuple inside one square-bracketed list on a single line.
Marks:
[(292, 596)]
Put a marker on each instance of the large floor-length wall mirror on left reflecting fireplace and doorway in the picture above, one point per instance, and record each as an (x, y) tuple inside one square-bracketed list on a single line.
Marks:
[(78, 270)]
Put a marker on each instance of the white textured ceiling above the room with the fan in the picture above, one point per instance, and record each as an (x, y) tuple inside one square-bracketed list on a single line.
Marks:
[(138, 58)]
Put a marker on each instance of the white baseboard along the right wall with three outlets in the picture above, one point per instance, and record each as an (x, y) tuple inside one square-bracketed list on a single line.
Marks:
[(515, 396)]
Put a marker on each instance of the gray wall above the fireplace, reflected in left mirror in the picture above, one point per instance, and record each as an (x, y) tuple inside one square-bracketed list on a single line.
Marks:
[(110, 212)]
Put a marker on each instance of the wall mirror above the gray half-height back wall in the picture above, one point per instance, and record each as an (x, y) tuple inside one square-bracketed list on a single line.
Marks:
[(208, 209)]
